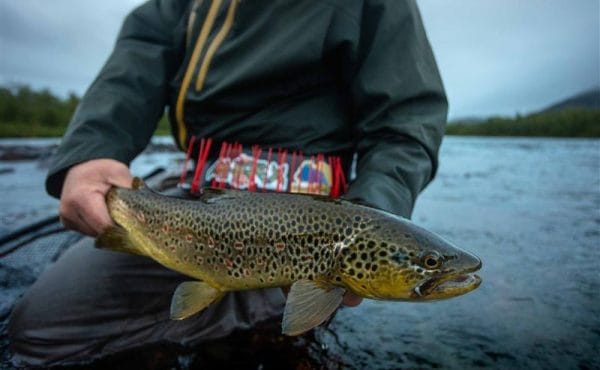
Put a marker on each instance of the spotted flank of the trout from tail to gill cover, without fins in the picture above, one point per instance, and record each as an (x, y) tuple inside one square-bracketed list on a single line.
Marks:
[(239, 240)]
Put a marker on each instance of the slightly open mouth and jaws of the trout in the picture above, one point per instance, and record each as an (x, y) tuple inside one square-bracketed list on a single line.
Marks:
[(447, 286)]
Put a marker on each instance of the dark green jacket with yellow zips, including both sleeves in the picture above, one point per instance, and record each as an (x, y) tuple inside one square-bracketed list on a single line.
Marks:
[(323, 76)]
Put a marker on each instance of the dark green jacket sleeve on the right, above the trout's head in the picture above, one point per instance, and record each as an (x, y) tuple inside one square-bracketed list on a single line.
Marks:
[(399, 106)]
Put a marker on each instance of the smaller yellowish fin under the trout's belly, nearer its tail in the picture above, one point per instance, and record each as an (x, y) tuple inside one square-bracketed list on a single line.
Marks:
[(191, 297)]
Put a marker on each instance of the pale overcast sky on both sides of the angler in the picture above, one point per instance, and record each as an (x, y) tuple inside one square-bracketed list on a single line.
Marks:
[(496, 57)]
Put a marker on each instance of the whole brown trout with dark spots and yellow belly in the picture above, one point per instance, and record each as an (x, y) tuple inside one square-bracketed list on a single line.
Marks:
[(230, 240)]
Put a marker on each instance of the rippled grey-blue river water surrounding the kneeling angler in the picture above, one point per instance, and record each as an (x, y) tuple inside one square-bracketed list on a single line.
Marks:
[(528, 207)]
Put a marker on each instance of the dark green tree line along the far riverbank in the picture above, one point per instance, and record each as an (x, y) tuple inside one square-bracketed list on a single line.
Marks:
[(25, 112)]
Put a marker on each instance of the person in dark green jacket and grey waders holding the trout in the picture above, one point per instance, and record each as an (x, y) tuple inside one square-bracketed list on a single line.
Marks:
[(332, 77)]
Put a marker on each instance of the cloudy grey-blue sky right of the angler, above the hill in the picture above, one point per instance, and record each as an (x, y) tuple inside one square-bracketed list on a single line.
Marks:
[(504, 57)]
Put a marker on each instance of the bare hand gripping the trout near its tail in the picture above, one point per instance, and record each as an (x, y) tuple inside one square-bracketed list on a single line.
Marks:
[(82, 204)]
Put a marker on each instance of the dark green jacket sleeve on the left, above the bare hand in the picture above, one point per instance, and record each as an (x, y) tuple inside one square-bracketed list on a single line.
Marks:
[(119, 112)]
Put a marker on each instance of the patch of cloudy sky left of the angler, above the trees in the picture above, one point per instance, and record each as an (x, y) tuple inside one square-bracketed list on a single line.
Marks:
[(60, 45)]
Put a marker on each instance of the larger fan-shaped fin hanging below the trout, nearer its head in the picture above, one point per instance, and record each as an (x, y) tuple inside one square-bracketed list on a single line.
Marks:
[(308, 305)]
